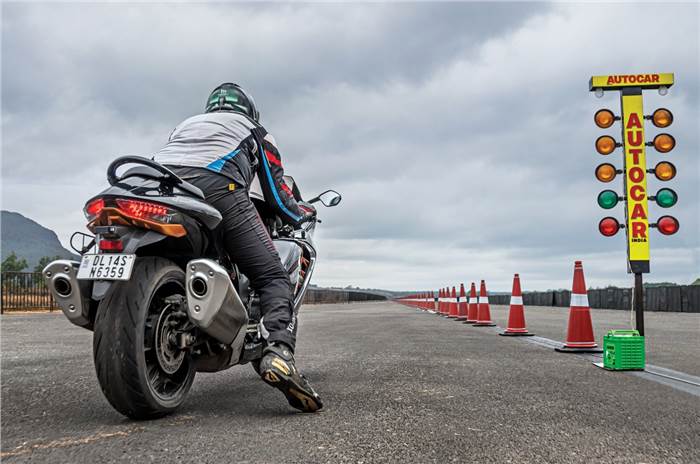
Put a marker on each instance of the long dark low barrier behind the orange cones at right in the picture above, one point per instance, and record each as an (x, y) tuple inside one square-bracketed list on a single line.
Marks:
[(677, 298)]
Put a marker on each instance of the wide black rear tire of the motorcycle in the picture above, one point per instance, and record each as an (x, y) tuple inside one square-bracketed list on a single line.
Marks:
[(127, 353)]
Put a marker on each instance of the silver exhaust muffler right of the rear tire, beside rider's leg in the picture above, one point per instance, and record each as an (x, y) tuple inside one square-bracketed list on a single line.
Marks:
[(213, 303)]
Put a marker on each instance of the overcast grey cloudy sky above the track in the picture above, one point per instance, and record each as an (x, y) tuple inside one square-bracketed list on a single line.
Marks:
[(460, 134)]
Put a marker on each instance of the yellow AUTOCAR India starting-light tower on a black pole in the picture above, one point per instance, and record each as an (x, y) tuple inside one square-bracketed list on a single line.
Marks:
[(634, 169)]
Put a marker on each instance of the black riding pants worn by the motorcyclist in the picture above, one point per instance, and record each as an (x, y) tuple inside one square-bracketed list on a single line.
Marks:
[(250, 247)]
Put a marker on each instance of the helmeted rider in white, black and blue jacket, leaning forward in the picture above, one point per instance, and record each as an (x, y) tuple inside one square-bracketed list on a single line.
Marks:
[(221, 151)]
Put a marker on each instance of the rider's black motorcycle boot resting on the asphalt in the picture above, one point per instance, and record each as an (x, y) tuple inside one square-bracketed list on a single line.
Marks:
[(278, 370)]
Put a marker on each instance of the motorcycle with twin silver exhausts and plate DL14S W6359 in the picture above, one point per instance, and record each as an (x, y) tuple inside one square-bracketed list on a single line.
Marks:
[(160, 295)]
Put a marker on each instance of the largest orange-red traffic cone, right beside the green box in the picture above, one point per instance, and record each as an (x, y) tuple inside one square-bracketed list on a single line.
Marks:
[(579, 337)]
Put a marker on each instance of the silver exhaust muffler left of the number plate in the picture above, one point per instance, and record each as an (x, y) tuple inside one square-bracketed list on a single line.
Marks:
[(61, 277)]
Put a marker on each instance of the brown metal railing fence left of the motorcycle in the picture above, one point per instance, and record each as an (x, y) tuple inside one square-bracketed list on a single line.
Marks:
[(23, 291)]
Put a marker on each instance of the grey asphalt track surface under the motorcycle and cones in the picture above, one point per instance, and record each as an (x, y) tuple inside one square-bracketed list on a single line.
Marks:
[(399, 386)]
